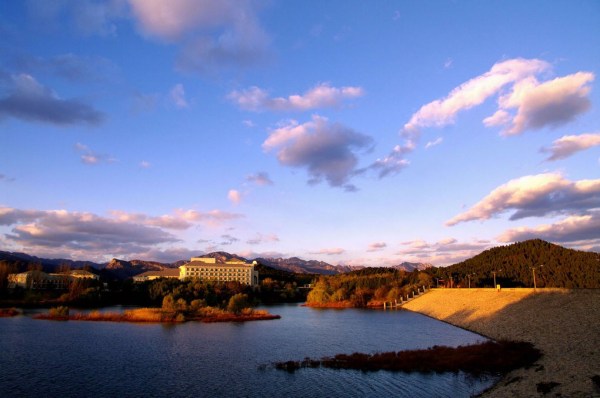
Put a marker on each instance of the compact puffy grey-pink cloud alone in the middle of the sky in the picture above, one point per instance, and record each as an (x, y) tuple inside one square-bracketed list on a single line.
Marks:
[(327, 150)]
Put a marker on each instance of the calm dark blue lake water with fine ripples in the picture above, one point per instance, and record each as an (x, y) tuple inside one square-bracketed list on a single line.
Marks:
[(96, 359)]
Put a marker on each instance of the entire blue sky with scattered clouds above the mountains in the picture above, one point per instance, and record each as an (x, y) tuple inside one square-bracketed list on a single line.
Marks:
[(352, 132)]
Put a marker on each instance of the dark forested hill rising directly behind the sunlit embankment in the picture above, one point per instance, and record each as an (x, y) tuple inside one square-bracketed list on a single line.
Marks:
[(555, 266)]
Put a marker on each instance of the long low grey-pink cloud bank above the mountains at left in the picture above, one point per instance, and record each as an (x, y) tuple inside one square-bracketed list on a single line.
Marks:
[(84, 235)]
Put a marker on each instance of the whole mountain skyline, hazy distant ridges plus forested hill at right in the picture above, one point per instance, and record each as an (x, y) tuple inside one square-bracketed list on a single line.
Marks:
[(514, 260)]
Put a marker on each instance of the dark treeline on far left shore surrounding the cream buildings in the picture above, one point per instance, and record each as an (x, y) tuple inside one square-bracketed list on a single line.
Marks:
[(275, 286)]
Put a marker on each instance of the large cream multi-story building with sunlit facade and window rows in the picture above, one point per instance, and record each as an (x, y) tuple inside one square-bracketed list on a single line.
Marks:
[(233, 270)]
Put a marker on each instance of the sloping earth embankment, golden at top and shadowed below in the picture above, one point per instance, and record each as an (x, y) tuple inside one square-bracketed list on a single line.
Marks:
[(563, 324)]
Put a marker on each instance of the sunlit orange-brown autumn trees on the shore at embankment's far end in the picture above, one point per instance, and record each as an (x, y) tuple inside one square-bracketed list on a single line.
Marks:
[(365, 287)]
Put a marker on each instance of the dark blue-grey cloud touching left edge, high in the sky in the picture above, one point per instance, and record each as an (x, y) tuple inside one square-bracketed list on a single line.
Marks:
[(28, 100)]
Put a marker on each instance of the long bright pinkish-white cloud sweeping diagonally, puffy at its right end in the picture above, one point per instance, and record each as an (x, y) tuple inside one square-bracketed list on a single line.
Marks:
[(537, 105)]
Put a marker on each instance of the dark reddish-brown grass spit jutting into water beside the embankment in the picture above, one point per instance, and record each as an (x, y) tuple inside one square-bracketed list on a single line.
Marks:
[(488, 357)]
